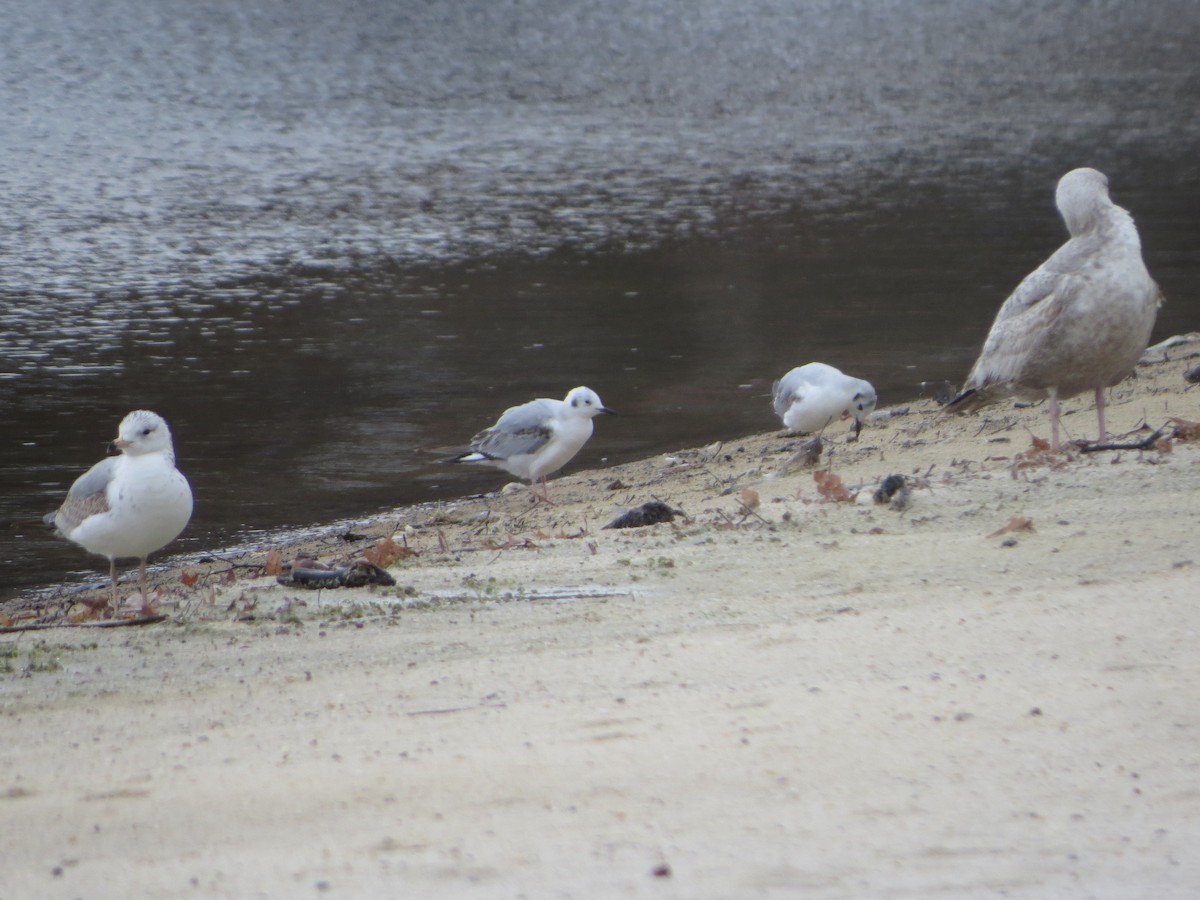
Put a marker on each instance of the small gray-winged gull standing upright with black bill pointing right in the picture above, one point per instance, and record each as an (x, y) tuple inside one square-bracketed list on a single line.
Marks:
[(538, 439)]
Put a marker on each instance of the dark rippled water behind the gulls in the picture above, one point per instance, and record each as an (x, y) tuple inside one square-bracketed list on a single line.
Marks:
[(329, 243)]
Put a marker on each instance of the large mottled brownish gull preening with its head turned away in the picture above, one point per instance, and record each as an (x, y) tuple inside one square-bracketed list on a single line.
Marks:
[(1078, 322)]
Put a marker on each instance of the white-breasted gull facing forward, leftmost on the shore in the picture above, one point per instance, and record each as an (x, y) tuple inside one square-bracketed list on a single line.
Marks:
[(129, 506)]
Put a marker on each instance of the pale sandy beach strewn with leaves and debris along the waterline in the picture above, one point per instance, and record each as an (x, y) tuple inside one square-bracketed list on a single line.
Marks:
[(986, 687)]
